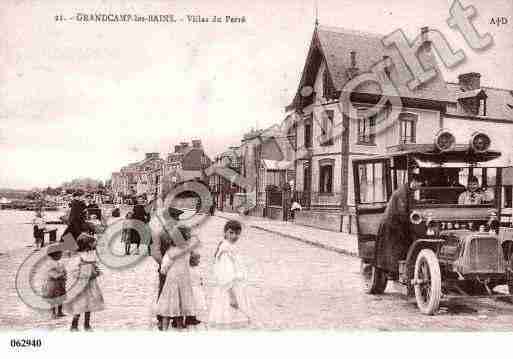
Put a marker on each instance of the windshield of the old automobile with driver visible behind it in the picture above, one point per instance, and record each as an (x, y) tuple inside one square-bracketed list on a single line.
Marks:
[(457, 186)]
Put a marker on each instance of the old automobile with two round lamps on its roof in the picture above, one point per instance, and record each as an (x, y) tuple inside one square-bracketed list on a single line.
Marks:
[(454, 248)]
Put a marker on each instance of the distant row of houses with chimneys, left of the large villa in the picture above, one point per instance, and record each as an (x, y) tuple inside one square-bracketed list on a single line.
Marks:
[(148, 176)]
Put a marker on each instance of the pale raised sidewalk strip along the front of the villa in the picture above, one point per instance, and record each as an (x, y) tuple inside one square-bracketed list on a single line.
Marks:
[(336, 241)]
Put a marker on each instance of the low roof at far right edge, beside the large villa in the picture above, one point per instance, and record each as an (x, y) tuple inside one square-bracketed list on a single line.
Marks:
[(499, 102)]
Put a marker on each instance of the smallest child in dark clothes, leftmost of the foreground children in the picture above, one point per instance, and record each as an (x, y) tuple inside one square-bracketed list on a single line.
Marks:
[(54, 288)]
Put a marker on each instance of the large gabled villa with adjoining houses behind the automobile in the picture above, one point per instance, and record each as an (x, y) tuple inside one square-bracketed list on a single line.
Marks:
[(302, 161)]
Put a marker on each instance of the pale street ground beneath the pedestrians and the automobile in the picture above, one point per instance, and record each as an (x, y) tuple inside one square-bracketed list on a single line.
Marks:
[(293, 283)]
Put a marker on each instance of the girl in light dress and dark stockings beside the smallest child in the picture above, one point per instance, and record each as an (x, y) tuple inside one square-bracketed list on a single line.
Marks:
[(85, 271)]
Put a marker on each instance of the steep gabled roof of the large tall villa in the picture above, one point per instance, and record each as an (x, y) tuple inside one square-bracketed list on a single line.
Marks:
[(336, 44)]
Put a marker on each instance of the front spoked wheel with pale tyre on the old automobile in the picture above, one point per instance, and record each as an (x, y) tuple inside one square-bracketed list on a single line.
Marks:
[(427, 282)]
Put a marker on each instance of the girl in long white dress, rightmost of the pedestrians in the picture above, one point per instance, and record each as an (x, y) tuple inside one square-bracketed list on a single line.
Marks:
[(230, 305)]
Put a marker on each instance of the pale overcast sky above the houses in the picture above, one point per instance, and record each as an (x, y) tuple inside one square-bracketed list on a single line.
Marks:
[(84, 99)]
